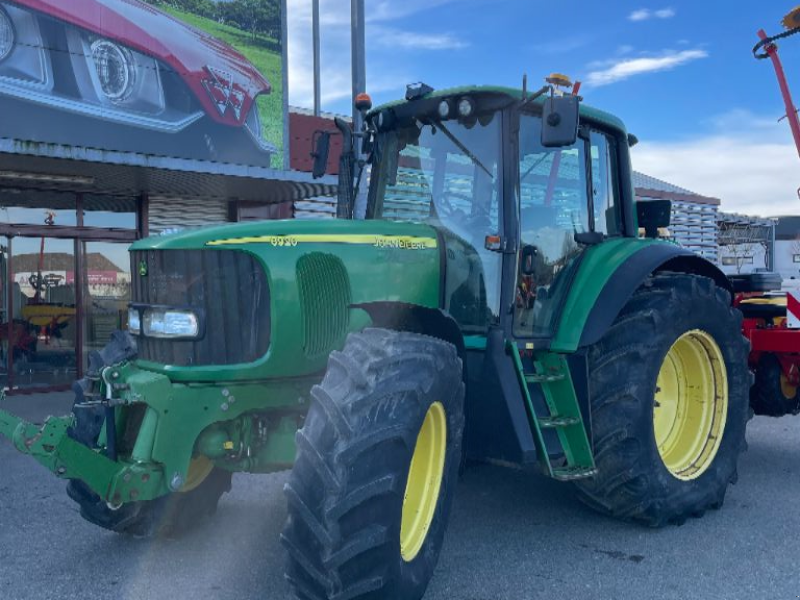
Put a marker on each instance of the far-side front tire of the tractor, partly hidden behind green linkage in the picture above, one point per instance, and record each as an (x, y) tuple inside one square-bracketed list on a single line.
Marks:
[(168, 516)]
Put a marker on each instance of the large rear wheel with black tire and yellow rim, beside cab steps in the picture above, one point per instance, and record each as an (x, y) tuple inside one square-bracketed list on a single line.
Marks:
[(669, 384)]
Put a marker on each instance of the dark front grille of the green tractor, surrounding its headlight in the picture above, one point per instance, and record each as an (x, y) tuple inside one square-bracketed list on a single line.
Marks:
[(227, 286)]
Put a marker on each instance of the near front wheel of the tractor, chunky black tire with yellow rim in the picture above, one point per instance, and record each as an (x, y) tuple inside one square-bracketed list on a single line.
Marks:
[(370, 493)]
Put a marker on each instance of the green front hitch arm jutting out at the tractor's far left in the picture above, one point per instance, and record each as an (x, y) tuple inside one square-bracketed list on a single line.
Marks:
[(51, 446)]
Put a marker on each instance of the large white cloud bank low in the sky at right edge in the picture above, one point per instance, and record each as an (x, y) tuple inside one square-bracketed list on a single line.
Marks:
[(748, 161)]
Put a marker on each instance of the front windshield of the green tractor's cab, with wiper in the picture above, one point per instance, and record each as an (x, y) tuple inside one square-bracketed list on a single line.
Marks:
[(448, 174)]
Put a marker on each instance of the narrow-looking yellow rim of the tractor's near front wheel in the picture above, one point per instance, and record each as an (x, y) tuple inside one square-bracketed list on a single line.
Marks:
[(424, 482)]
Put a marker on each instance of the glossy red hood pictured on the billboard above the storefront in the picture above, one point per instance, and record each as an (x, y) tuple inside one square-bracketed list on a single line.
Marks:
[(204, 62)]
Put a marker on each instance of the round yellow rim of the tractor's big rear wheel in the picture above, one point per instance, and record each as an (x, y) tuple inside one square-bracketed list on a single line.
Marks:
[(691, 405)]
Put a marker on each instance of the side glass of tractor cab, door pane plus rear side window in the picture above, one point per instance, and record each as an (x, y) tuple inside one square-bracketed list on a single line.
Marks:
[(566, 203)]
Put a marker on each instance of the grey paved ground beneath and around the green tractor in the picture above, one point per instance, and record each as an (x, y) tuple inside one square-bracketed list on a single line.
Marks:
[(512, 536)]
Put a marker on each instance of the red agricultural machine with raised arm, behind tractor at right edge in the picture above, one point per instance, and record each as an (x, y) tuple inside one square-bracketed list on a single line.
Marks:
[(772, 317)]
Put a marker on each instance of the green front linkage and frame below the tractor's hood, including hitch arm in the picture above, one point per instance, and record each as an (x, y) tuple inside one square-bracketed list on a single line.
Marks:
[(161, 429)]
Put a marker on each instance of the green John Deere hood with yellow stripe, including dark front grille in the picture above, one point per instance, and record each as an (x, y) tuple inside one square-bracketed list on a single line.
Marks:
[(278, 296)]
